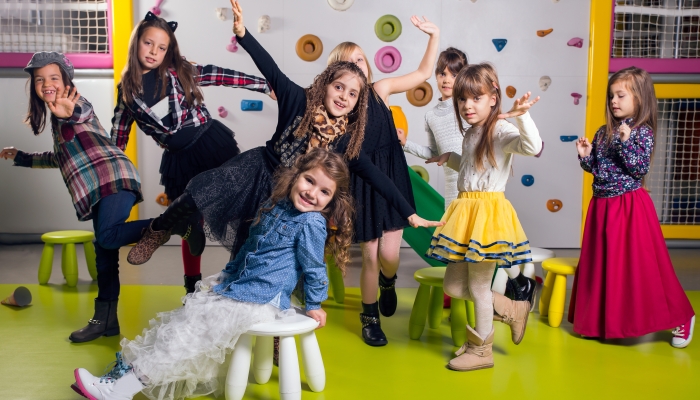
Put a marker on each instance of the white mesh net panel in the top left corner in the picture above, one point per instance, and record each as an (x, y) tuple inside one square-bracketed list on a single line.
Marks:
[(67, 26)]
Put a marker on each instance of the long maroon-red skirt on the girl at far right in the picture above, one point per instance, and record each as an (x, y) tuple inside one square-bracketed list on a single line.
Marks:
[(625, 284)]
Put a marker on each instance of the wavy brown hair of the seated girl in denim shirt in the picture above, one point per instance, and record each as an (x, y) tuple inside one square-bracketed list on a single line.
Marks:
[(339, 213)]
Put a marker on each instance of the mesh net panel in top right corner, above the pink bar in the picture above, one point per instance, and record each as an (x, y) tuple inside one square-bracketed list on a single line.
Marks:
[(656, 29)]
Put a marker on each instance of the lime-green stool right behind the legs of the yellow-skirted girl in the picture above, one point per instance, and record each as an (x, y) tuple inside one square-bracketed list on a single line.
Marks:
[(429, 301)]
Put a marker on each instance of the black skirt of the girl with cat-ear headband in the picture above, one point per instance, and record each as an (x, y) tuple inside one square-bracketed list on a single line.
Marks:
[(214, 147)]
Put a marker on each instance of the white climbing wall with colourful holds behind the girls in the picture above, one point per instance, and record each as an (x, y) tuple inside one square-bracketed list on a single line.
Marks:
[(468, 25)]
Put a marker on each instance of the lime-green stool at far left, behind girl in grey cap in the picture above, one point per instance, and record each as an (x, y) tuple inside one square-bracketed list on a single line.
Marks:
[(69, 260)]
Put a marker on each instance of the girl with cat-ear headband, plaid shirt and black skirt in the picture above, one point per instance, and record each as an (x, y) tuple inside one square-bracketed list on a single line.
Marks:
[(161, 92)]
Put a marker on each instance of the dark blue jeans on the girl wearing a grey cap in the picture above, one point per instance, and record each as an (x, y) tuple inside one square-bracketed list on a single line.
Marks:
[(111, 233)]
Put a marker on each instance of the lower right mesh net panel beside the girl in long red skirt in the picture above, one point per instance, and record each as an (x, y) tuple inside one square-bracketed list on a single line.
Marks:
[(674, 177)]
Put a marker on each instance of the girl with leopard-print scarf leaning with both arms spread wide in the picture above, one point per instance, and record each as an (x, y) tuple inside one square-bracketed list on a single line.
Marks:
[(228, 196)]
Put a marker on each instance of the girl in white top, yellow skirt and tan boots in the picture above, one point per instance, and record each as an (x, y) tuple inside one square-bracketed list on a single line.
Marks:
[(481, 226)]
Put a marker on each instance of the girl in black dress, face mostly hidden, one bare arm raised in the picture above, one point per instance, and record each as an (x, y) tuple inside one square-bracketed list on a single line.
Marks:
[(378, 226)]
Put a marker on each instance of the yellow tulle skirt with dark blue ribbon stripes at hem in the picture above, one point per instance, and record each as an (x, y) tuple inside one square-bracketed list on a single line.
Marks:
[(480, 226)]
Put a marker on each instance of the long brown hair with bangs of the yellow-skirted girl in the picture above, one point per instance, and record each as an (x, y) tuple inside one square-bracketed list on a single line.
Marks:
[(480, 80)]
